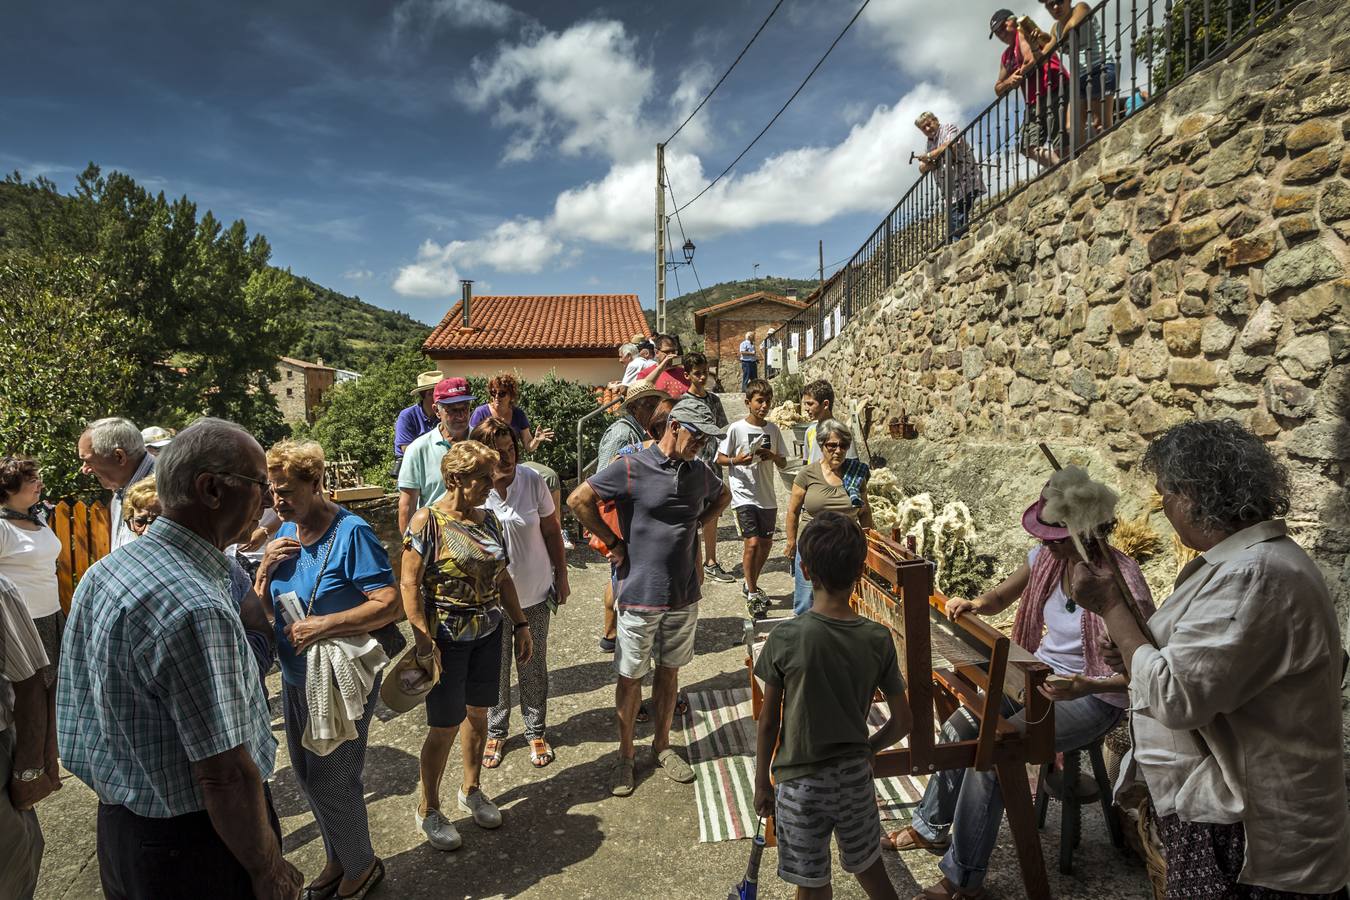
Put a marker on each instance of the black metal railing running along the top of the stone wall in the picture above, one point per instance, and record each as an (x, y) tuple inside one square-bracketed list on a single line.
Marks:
[(1090, 80)]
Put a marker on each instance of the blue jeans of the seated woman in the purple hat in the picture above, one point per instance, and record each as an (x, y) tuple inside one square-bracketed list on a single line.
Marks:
[(971, 804)]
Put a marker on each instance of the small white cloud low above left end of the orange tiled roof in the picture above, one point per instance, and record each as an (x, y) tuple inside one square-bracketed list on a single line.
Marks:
[(516, 246)]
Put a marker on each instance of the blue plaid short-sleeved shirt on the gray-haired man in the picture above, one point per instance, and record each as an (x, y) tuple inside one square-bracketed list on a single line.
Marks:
[(156, 675)]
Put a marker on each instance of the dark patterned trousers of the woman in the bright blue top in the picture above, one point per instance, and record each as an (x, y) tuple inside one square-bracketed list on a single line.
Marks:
[(333, 785)]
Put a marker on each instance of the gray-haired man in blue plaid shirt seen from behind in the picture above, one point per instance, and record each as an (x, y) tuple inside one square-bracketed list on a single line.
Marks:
[(159, 708)]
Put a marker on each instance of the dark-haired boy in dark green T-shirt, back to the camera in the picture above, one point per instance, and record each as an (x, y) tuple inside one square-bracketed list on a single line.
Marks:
[(820, 673)]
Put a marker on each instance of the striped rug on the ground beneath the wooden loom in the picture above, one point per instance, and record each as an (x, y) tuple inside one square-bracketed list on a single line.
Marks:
[(722, 750)]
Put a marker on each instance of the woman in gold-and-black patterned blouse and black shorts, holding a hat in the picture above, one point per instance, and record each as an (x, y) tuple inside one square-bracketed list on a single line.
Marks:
[(457, 592)]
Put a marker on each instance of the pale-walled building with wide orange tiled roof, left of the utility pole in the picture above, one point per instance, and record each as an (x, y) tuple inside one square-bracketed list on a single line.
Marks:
[(577, 337)]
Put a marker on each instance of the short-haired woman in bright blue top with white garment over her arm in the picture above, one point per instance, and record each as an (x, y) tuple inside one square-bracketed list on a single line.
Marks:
[(330, 566)]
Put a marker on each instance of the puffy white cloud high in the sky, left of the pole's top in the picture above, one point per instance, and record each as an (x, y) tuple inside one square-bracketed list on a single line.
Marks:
[(583, 88)]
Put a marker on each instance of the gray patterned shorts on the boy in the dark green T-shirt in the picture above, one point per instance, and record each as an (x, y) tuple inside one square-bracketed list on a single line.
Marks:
[(836, 799)]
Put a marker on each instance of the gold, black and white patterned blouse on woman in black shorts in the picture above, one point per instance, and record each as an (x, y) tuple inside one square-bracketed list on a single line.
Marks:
[(464, 563)]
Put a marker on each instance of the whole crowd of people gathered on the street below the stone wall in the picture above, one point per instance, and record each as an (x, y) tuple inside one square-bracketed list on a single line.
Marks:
[(230, 561)]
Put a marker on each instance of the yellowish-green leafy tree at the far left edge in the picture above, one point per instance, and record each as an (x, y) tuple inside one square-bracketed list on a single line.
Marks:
[(70, 360)]
